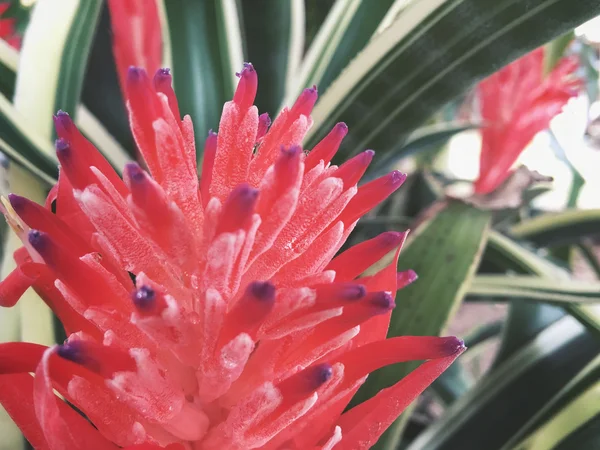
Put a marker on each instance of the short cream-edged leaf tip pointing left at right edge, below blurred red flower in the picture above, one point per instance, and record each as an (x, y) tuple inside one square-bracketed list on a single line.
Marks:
[(565, 227)]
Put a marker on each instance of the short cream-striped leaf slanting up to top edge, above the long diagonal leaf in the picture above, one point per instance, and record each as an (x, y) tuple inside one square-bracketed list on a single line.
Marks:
[(347, 29)]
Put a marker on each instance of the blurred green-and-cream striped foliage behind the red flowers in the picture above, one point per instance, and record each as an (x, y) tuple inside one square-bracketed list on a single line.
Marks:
[(520, 283)]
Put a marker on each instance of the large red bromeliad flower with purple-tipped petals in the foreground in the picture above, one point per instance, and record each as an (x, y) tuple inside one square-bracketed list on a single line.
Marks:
[(240, 328)]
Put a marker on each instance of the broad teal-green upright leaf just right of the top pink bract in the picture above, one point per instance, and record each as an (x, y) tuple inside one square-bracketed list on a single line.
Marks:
[(207, 52)]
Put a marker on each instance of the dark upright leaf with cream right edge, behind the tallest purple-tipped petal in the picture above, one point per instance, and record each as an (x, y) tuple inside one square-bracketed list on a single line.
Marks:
[(275, 50)]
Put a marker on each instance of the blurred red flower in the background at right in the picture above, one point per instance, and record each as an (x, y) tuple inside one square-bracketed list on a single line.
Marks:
[(518, 102)]
